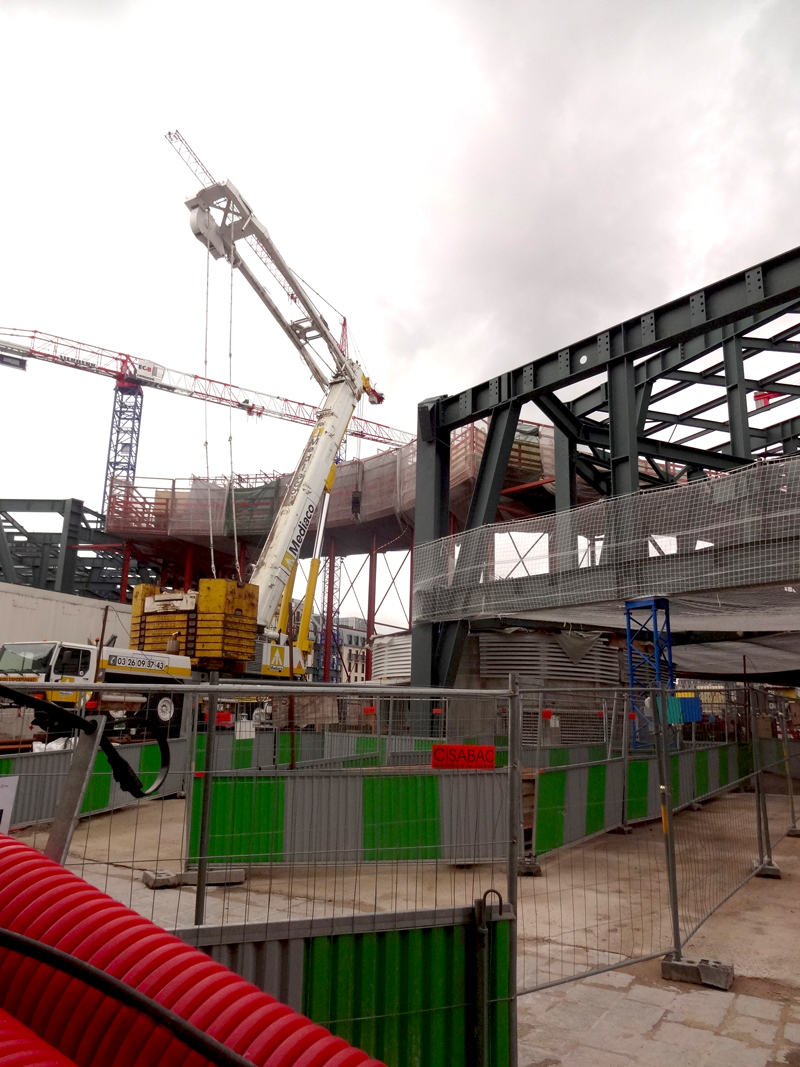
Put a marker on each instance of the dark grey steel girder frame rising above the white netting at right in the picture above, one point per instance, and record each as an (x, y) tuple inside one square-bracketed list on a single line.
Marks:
[(626, 428)]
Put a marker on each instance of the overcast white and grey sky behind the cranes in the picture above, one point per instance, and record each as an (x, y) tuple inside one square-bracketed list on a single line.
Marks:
[(474, 184)]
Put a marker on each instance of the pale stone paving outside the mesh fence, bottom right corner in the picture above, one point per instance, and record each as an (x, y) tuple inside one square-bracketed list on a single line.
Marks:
[(632, 1017)]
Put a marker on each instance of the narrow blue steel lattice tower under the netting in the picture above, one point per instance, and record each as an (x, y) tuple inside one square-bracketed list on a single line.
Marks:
[(648, 620)]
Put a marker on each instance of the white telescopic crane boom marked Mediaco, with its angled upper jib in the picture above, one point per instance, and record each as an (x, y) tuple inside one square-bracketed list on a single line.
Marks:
[(220, 218)]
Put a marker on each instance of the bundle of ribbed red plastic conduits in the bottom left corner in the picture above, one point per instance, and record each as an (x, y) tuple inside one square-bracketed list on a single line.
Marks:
[(43, 901)]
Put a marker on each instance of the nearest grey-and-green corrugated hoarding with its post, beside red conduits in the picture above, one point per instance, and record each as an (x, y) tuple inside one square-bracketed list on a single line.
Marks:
[(399, 985)]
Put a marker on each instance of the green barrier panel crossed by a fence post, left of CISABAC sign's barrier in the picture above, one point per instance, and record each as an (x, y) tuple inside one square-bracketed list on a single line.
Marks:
[(247, 820)]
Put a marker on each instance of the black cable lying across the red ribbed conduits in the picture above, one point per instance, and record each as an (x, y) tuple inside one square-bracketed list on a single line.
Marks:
[(196, 1040)]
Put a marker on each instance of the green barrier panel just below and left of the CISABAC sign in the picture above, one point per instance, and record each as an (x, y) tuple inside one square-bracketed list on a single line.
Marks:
[(402, 819)]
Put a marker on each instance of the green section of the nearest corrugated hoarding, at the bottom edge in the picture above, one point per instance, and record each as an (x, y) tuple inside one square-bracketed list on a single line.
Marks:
[(404, 996)]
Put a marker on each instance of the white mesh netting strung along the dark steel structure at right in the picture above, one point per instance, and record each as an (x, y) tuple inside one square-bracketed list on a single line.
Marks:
[(727, 543)]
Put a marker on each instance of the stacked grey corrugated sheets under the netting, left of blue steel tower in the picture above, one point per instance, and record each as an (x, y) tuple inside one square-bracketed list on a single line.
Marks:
[(540, 659)]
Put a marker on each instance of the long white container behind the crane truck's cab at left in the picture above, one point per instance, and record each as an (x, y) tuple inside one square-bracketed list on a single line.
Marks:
[(39, 615)]
